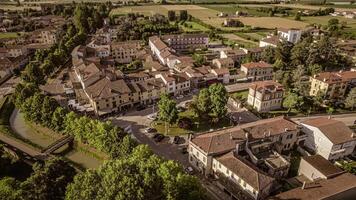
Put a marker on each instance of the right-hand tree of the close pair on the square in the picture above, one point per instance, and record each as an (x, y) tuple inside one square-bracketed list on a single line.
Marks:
[(218, 99)]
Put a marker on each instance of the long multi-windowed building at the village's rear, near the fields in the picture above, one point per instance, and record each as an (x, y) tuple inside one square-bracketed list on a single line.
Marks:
[(184, 42)]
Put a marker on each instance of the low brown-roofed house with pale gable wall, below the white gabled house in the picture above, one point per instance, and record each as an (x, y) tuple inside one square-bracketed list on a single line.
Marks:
[(316, 167)]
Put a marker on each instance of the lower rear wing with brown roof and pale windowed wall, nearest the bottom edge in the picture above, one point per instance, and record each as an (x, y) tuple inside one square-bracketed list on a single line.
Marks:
[(237, 171)]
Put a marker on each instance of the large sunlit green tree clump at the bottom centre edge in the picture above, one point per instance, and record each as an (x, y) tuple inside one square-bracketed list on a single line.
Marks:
[(140, 175)]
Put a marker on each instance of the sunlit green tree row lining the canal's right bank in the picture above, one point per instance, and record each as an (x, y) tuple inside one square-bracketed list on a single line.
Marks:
[(44, 110)]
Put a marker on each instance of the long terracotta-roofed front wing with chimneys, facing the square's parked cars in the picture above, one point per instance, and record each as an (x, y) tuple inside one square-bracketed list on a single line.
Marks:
[(204, 147)]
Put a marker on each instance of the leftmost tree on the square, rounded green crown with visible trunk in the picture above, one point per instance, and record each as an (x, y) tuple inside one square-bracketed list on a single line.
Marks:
[(167, 110)]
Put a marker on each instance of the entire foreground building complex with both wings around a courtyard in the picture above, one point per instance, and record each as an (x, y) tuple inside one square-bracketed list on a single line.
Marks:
[(257, 144)]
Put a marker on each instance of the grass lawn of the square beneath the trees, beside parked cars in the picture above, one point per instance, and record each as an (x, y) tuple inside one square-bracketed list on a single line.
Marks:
[(199, 125)]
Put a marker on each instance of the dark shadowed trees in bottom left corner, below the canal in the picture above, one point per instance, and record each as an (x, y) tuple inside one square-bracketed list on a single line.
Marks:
[(47, 181)]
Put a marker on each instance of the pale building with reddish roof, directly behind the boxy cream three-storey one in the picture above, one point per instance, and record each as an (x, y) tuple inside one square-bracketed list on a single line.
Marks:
[(257, 71)]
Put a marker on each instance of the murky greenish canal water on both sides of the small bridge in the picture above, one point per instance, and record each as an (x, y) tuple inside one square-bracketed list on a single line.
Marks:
[(22, 128)]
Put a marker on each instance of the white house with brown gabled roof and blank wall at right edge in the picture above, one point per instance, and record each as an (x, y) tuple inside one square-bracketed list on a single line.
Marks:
[(329, 138)]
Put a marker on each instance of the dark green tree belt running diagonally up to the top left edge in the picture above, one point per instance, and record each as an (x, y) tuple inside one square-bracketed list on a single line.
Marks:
[(86, 20)]
